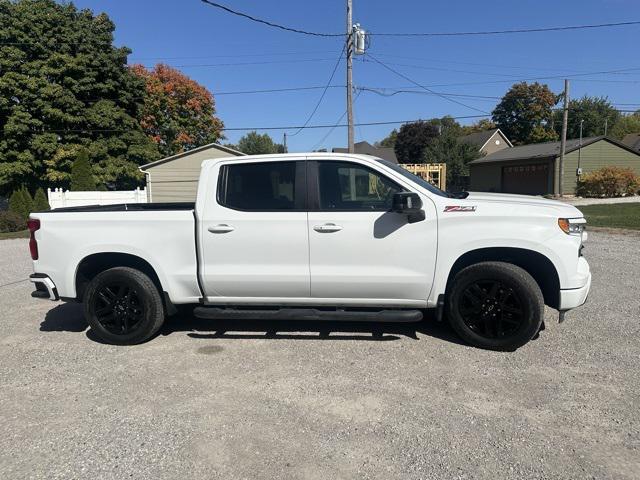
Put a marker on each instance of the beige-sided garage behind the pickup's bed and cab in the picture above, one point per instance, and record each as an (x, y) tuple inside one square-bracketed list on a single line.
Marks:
[(175, 178)]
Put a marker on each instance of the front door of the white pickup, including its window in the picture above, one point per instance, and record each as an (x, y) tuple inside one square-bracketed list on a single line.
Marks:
[(360, 252)]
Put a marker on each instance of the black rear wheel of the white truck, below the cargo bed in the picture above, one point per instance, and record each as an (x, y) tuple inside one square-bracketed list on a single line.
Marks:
[(123, 306)]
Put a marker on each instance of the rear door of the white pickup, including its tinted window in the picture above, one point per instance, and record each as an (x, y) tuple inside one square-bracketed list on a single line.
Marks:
[(253, 233)]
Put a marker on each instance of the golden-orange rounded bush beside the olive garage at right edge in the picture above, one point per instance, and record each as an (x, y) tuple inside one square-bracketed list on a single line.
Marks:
[(608, 182)]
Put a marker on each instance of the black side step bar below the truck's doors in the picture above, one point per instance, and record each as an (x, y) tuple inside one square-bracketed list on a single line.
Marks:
[(398, 316)]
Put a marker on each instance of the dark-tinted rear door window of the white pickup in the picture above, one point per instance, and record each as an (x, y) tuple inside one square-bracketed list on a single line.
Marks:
[(258, 186)]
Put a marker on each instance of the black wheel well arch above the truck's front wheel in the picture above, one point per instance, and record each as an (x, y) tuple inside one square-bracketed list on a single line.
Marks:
[(537, 265)]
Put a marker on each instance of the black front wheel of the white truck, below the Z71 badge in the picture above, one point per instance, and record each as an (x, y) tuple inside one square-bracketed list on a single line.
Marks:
[(495, 305)]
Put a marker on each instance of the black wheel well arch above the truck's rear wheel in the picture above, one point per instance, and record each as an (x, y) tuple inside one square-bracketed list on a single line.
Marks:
[(92, 265)]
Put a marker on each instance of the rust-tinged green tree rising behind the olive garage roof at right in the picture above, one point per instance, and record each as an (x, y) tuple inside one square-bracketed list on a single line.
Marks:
[(524, 114)]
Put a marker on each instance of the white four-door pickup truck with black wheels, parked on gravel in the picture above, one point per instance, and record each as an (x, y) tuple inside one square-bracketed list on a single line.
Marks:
[(316, 236)]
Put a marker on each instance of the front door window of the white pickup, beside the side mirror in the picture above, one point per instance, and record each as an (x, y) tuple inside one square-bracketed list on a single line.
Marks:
[(348, 186)]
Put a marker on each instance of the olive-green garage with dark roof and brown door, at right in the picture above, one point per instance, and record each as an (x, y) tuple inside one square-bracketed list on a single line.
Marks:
[(534, 169)]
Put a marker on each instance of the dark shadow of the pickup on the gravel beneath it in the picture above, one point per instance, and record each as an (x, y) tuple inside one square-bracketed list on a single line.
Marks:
[(68, 317)]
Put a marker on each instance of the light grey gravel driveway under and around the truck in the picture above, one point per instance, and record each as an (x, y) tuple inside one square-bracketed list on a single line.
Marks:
[(322, 400)]
